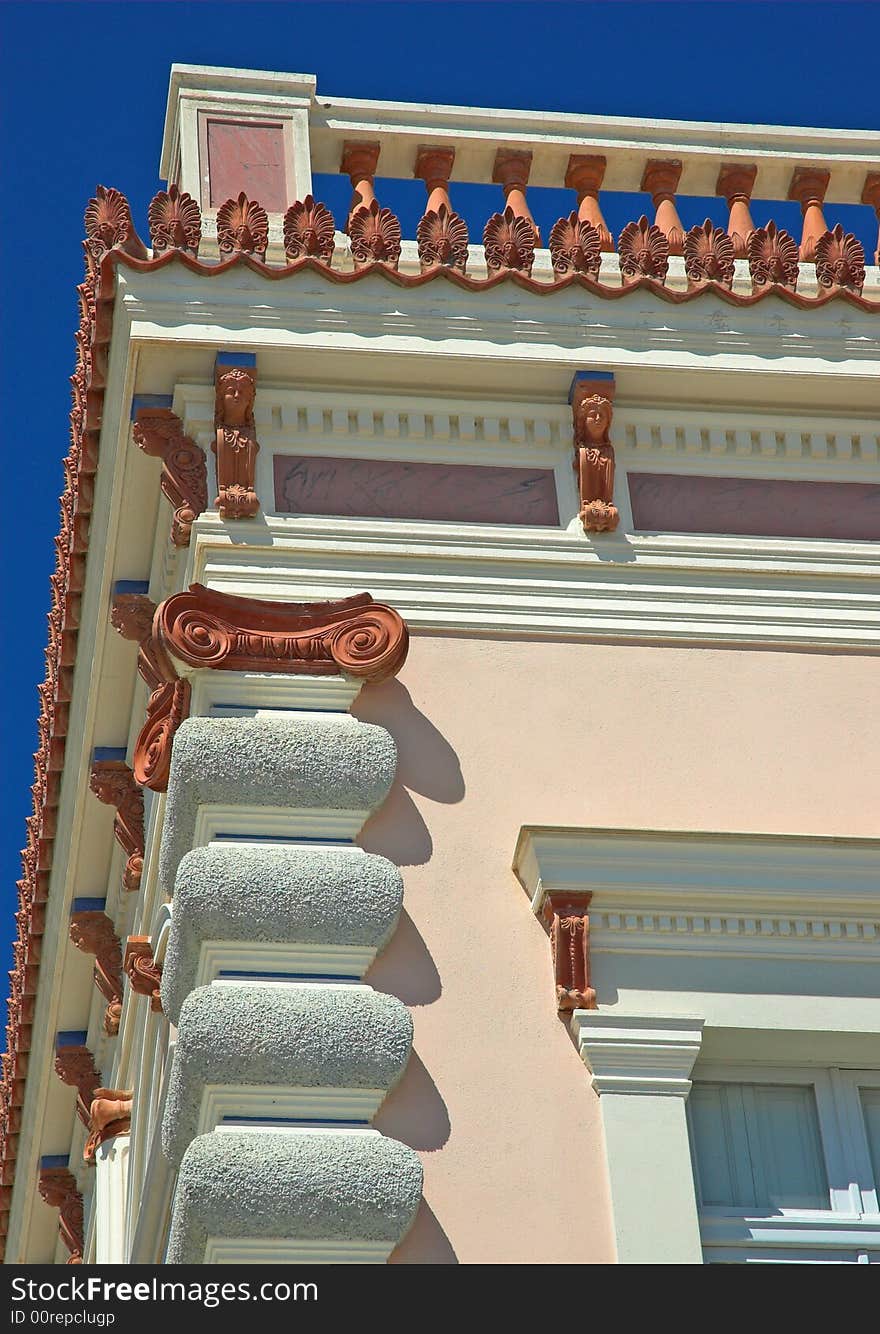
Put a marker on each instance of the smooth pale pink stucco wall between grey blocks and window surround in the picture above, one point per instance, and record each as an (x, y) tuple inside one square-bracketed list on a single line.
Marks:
[(498, 734)]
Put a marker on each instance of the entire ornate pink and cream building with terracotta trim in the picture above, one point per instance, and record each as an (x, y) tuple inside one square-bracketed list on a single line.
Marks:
[(455, 812)]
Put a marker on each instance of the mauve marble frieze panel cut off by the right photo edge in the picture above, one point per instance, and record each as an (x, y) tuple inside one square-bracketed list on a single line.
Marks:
[(751, 508)]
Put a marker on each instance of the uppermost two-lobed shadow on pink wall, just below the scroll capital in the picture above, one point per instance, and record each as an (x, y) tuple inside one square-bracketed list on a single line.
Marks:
[(426, 765)]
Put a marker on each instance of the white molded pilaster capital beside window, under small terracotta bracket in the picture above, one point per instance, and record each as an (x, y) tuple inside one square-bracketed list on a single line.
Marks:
[(645, 1055)]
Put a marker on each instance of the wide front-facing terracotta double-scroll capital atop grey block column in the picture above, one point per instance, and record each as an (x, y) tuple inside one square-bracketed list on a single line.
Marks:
[(355, 636)]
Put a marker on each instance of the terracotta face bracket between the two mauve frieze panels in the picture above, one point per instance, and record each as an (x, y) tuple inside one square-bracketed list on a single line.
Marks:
[(591, 398)]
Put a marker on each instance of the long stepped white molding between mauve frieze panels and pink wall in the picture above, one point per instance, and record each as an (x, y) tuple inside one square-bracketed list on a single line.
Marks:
[(550, 582)]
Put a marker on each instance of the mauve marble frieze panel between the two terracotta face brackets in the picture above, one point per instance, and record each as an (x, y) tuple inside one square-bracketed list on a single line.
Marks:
[(374, 489)]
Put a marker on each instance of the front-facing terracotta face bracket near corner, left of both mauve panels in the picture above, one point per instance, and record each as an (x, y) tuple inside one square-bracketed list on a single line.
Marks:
[(235, 442)]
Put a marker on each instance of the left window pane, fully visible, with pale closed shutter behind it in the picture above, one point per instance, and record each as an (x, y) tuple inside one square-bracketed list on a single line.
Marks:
[(758, 1147)]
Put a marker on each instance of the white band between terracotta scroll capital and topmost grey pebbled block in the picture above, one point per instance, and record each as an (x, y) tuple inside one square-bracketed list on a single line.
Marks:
[(233, 694)]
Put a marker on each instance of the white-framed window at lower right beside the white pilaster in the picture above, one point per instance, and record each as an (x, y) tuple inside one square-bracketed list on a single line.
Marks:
[(787, 1165)]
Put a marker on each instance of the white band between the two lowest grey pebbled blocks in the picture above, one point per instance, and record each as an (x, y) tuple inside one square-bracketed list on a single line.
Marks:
[(227, 1105)]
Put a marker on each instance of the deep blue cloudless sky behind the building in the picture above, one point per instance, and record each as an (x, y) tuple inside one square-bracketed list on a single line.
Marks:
[(83, 98)]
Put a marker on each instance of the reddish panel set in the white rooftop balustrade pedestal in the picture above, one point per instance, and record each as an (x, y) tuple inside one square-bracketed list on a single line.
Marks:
[(247, 157)]
